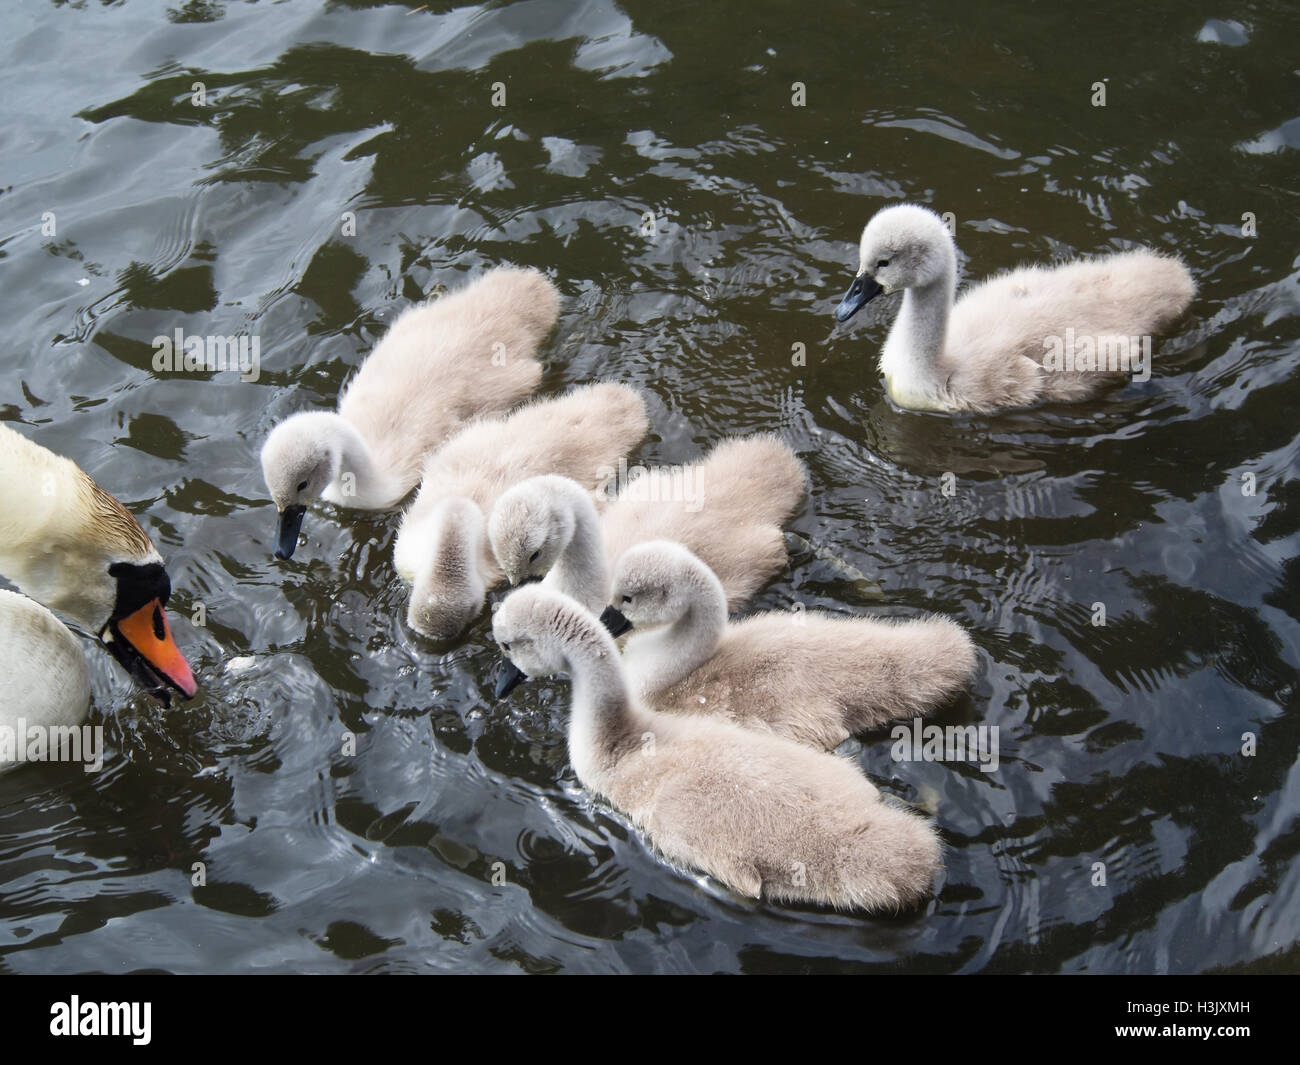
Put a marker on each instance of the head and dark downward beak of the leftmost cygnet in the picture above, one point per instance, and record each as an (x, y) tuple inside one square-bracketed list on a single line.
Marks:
[(300, 460)]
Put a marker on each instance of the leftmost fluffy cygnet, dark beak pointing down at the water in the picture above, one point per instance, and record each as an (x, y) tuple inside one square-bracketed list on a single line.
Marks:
[(440, 366)]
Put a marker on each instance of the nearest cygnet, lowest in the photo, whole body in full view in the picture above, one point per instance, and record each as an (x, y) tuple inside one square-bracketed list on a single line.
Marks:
[(768, 817)]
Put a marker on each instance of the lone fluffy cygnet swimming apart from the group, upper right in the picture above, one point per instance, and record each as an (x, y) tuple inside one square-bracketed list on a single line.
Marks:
[(995, 347)]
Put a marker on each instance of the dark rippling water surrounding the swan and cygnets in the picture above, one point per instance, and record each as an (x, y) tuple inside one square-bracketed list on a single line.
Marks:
[(1120, 744)]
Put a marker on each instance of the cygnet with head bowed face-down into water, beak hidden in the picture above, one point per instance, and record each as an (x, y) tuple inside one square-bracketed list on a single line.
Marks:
[(441, 548)]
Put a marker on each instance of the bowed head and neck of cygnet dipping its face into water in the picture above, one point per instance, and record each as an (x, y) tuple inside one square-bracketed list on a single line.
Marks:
[(449, 590)]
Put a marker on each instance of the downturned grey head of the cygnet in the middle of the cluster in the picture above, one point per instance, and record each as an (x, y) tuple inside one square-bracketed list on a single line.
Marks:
[(531, 526)]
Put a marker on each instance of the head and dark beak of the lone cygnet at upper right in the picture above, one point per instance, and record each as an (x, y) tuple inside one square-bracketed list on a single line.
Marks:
[(904, 246)]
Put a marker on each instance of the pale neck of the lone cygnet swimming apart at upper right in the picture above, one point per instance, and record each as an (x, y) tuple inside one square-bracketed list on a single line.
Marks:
[(913, 358)]
